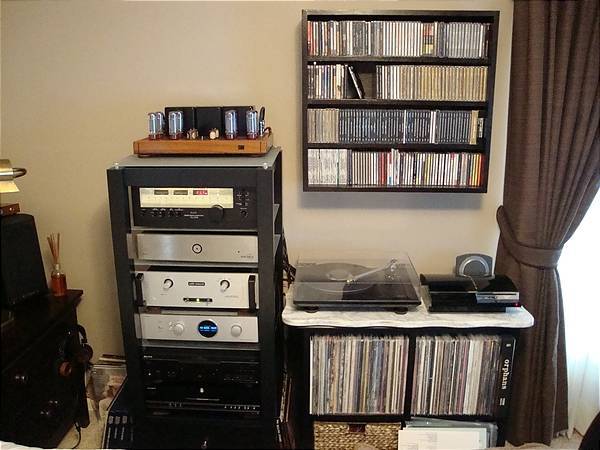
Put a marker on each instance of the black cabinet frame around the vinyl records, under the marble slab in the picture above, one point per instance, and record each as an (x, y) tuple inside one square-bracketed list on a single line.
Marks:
[(300, 370)]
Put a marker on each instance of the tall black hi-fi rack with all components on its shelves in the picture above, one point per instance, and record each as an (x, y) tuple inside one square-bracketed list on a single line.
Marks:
[(198, 254)]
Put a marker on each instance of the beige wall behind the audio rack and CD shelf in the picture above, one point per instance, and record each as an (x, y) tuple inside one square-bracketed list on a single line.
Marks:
[(79, 77)]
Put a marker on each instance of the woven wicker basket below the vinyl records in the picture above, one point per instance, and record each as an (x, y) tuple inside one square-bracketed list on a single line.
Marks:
[(344, 436)]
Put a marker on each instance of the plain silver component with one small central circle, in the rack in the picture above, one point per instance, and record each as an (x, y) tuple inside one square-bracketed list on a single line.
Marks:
[(230, 248)]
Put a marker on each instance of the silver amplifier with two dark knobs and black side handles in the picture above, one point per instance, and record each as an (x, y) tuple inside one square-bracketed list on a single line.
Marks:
[(224, 290)]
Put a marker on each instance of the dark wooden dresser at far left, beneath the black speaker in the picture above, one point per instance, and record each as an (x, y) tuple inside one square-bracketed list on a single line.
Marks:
[(43, 392)]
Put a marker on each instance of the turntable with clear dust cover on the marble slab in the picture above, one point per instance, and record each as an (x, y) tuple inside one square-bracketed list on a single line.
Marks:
[(384, 284)]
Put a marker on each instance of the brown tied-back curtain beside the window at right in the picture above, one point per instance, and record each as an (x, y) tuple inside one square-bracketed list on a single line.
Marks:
[(552, 175)]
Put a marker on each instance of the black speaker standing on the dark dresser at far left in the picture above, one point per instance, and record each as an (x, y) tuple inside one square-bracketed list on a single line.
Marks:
[(23, 274)]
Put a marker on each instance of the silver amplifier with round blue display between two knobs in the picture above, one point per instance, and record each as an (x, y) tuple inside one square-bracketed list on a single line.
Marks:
[(180, 327)]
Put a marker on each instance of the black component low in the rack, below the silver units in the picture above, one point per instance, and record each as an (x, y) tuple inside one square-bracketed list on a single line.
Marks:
[(219, 381)]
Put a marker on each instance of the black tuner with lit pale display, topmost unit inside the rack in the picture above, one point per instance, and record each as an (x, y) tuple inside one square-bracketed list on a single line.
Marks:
[(226, 208)]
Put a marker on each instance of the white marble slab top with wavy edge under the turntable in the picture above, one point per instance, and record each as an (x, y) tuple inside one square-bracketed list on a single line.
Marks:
[(418, 317)]
